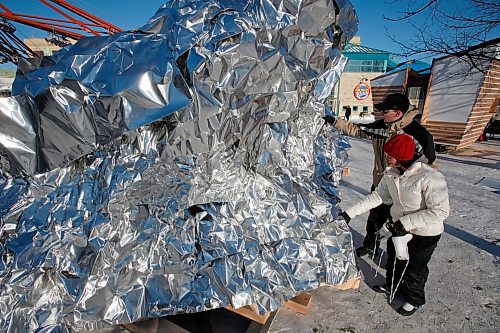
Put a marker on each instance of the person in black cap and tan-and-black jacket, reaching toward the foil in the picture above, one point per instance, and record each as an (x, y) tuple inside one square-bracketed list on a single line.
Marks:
[(398, 117)]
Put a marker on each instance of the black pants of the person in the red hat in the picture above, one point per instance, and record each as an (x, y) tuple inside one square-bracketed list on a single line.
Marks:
[(412, 285)]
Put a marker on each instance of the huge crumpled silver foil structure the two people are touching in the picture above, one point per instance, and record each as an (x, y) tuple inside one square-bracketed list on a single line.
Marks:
[(179, 167)]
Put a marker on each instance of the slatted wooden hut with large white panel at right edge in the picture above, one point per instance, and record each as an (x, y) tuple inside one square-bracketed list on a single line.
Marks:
[(461, 98)]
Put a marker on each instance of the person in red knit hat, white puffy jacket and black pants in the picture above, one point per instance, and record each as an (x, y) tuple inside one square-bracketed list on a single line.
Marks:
[(420, 204)]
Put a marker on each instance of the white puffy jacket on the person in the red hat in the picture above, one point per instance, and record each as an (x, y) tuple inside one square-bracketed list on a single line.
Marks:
[(419, 199)]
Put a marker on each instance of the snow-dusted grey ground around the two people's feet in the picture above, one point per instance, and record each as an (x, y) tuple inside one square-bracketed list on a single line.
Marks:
[(463, 290)]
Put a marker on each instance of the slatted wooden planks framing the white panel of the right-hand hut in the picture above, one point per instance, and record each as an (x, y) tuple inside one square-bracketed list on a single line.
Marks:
[(463, 134)]
